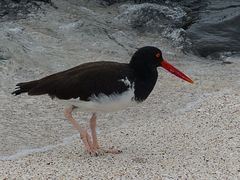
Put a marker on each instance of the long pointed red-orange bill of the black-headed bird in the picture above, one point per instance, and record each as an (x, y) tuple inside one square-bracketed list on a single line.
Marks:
[(175, 71)]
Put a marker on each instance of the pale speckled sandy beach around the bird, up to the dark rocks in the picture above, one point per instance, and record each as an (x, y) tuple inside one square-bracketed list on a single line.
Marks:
[(181, 131)]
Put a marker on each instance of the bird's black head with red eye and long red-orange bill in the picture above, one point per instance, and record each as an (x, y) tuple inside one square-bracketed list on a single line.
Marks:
[(148, 58)]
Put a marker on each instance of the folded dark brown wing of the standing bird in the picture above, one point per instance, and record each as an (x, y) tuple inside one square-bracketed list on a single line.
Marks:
[(85, 80)]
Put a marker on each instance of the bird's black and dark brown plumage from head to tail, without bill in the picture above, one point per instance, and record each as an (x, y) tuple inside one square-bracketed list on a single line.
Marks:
[(94, 78)]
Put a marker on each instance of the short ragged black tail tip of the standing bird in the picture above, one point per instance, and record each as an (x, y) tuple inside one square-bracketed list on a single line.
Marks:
[(24, 87)]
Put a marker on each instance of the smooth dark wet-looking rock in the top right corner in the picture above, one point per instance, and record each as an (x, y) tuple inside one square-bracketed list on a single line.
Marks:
[(216, 32)]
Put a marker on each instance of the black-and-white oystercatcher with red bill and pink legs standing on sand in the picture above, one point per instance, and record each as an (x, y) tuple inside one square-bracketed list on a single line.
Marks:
[(102, 86)]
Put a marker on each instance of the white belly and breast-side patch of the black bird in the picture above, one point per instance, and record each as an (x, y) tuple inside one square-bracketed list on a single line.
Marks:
[(104, 103)]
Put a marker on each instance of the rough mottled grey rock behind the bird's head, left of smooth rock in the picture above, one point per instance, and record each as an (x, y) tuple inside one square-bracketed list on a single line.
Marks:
[(153, 18)]
